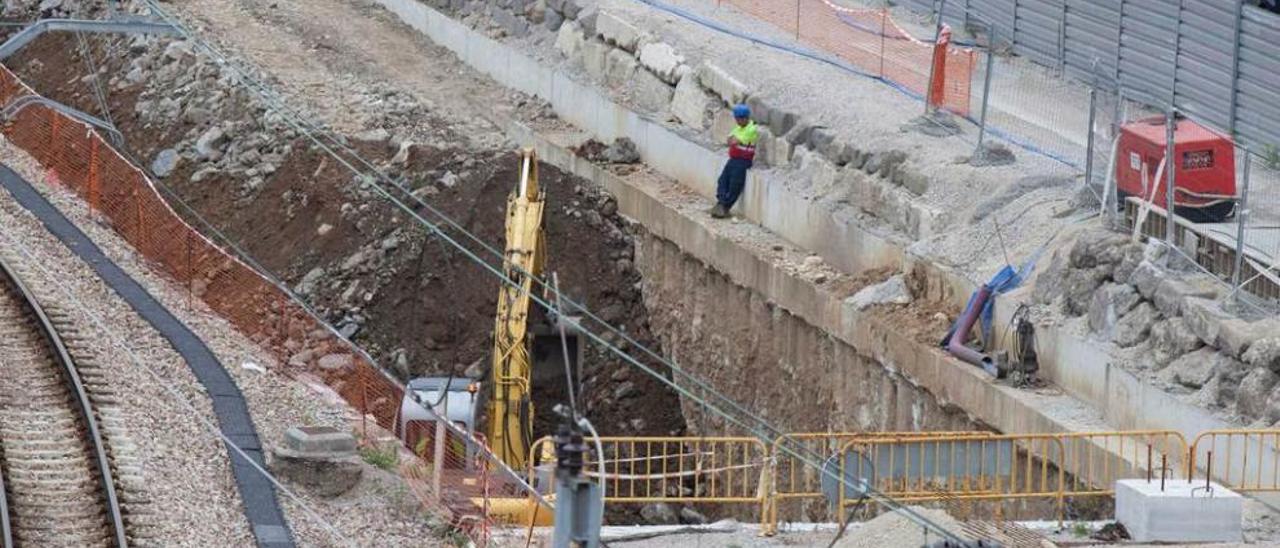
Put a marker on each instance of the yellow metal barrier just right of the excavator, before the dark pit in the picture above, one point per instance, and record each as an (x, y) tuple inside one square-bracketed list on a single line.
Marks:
[(708, 471)]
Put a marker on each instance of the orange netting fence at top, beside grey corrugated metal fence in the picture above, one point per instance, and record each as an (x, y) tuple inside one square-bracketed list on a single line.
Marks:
[(872, 42)]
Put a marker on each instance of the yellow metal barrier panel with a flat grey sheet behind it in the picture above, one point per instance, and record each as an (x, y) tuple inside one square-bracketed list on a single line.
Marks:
[(953, 468)]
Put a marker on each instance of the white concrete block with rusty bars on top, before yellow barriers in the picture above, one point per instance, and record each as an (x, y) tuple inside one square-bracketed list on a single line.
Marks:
[(1182, 513)]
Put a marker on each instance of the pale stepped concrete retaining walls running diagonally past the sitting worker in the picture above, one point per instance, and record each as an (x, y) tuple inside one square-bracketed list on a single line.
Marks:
[(1101, 396)]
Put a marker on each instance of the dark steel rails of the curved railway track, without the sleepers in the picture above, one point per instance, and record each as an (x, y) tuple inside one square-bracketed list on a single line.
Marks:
[(60, 354)]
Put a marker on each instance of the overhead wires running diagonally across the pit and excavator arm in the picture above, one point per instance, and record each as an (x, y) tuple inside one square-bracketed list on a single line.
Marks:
[(332, 145)]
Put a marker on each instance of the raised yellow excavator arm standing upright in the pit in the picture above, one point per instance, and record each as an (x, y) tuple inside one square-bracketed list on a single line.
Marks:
[(511, 413)]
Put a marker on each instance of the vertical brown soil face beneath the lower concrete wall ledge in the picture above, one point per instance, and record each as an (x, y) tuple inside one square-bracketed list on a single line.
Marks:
[(788, 371)]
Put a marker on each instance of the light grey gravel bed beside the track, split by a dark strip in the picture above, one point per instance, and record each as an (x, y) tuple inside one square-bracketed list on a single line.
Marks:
[(186, 464)]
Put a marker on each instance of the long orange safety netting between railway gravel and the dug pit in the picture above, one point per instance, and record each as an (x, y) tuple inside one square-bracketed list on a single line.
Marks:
[(77, 158)]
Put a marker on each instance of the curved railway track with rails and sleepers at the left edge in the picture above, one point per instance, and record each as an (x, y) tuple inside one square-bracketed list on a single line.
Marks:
[(60, 477)]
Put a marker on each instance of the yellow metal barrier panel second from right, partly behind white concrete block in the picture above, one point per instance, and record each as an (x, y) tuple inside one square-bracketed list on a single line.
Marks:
[(1096, 460)]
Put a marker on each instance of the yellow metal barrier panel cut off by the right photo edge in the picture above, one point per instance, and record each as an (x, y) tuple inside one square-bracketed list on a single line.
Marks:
[(1241, 460)]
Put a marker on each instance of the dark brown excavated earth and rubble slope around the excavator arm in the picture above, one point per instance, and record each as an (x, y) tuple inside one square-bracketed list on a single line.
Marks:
[(414, 302)]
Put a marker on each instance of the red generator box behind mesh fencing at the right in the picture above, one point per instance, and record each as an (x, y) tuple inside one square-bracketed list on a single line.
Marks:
[(1205, 182)]
